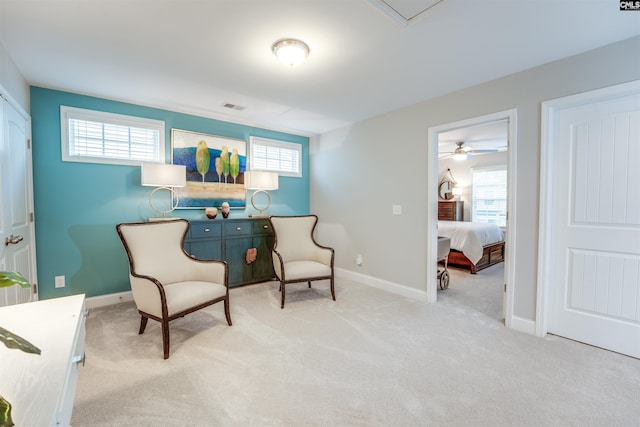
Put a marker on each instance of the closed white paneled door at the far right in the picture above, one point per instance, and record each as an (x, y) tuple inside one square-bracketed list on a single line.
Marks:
[(594, 220)]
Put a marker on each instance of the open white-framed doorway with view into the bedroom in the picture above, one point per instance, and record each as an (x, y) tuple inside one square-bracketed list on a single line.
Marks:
[(471, 202)]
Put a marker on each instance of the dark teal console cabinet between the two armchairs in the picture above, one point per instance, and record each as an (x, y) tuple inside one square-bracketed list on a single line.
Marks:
[(229, 240)]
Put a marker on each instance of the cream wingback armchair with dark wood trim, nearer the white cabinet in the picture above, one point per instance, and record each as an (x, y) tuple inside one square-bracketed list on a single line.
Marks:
[(165, 281)]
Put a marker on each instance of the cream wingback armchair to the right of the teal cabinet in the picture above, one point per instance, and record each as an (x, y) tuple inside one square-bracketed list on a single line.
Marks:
[(297, 257)]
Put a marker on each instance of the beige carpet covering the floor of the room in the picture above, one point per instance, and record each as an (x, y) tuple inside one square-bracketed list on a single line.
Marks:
[(369, 359)]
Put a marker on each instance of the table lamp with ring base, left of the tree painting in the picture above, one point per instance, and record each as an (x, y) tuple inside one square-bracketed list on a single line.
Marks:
[(163, 177)]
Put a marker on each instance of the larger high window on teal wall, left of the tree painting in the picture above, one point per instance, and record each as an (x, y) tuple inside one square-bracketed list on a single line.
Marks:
[(99, 137)]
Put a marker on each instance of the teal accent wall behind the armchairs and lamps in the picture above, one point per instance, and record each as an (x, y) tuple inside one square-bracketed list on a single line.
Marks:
[(77, 205)]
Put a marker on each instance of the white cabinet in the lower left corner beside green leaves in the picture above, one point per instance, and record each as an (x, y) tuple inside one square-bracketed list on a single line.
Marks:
[(41, 388)]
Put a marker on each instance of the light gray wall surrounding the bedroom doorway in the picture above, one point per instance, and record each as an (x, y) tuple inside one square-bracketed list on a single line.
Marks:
[(359, 171)]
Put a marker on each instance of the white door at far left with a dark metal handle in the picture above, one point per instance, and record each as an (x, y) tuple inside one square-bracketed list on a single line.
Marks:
[(17, 250)]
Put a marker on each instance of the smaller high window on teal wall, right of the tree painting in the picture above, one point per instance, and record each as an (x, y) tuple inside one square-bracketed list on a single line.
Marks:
[(276, 156)]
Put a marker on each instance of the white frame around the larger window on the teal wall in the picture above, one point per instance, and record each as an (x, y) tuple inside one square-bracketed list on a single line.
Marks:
[(74, 113)]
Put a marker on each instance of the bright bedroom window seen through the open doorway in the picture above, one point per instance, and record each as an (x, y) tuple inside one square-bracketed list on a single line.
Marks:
[(489, 195)]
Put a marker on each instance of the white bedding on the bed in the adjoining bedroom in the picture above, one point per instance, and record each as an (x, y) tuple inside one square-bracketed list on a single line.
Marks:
[(470, 237)]
